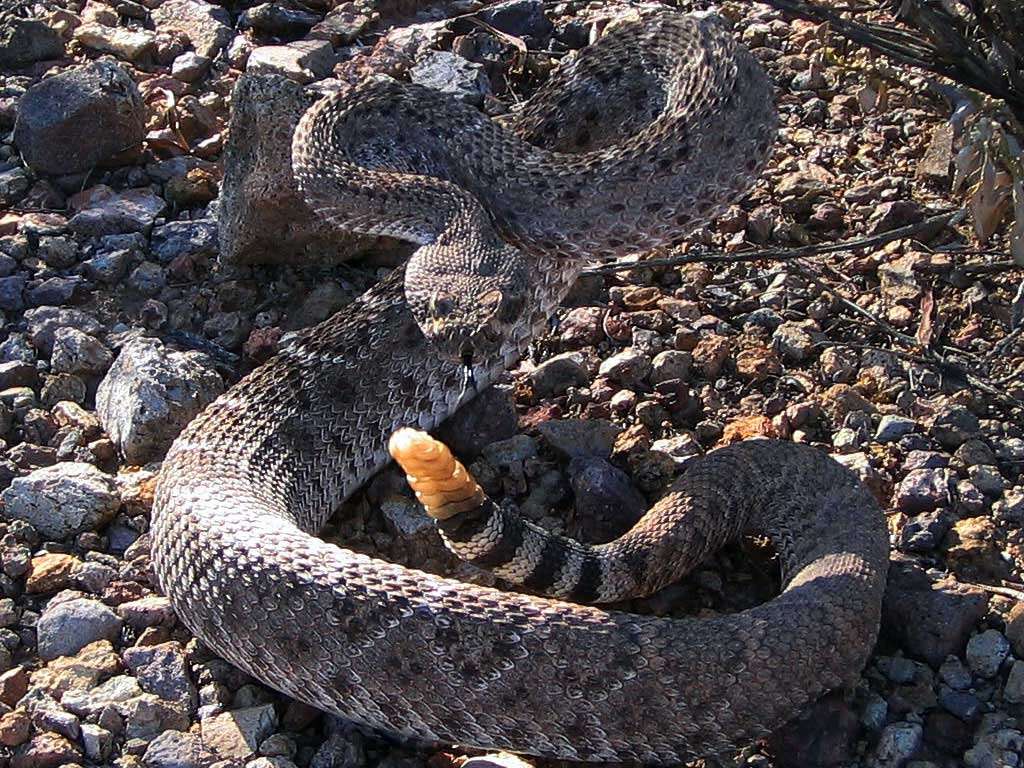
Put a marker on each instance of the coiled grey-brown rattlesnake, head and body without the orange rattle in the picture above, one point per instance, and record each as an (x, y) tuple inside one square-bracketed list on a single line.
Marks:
[(645, 135)]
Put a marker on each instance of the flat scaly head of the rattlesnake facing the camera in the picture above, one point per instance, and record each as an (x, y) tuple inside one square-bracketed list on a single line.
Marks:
[(470, 306)]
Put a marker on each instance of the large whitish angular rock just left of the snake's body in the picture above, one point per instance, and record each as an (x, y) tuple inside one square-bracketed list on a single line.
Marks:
[(149, 396)]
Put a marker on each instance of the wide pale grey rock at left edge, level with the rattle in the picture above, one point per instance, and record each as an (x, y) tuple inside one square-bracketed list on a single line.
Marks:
[(64, 500)]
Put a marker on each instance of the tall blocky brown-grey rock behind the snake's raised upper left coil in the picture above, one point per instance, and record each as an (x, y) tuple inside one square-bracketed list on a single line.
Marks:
[(263, 219)]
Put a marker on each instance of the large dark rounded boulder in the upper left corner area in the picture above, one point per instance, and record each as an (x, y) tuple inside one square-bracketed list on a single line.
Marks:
[(80, 118)]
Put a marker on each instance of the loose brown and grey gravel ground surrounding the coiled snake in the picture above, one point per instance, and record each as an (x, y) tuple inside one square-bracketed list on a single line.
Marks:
[(132, 295)]
